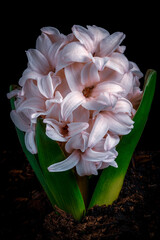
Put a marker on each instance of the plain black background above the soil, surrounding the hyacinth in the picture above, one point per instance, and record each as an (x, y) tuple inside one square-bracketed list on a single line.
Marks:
[(20, 27)]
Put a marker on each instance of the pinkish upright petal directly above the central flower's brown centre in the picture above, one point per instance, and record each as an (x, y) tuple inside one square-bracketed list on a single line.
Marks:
[(89, 75)]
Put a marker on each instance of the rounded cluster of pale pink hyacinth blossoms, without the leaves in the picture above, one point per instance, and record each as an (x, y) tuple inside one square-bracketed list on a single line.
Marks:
[(86, 91)]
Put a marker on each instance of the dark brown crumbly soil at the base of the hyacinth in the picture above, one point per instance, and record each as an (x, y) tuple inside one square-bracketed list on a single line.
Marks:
[(27, 214)]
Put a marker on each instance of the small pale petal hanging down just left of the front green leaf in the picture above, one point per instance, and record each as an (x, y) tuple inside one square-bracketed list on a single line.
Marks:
[(30, 142)]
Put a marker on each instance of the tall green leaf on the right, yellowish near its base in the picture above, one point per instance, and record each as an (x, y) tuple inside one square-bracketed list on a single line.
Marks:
[(111, 180)]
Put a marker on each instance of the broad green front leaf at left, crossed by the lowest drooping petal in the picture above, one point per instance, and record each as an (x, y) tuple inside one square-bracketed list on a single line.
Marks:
[(62, 185)]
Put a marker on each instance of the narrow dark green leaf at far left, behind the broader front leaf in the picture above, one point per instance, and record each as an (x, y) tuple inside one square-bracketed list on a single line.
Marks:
[(32, 158)]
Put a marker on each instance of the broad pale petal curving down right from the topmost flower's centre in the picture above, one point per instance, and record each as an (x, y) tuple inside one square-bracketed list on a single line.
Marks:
[(118, 62)]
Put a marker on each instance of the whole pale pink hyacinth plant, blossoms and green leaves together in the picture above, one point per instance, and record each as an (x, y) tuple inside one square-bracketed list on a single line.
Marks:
[(79, 113)]
